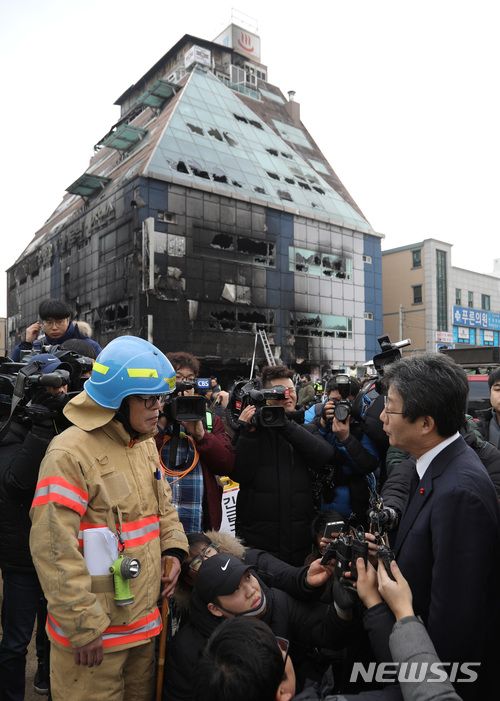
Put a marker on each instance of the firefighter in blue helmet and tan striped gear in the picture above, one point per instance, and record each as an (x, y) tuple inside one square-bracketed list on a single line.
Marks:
[(103, 472)]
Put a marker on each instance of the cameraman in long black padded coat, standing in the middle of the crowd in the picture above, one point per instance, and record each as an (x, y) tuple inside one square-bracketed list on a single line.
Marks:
[(274, 508)]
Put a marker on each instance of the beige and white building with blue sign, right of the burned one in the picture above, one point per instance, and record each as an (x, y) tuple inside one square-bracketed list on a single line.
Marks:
[(428, 300)]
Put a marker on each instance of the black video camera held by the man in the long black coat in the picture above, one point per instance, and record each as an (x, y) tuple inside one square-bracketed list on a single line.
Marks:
[(250, 392)]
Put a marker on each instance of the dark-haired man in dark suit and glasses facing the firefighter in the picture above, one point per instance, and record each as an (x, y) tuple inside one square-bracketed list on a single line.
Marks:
[(448, 543)]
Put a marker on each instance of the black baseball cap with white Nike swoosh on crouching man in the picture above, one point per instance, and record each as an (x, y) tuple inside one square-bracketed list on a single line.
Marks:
[(219, 575)]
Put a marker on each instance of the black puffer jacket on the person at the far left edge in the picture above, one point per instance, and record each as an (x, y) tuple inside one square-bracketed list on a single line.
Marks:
[(21, 453)]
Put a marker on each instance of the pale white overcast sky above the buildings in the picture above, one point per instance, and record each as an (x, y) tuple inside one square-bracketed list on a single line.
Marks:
[(401, 96)]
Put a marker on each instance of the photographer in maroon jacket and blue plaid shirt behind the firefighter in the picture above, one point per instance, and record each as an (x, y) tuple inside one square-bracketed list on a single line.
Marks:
[(202, 451)]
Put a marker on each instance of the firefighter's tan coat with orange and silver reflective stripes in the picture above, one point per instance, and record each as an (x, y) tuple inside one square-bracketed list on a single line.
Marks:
[(94, 475)]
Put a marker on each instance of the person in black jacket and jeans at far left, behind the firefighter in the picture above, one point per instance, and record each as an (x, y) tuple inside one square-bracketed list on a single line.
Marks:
[(38, 418)]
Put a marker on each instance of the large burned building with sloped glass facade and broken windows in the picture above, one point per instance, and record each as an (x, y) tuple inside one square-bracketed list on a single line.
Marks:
[(207, 213)]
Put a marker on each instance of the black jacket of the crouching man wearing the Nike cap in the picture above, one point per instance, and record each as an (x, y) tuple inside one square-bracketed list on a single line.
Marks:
[(304, 624)]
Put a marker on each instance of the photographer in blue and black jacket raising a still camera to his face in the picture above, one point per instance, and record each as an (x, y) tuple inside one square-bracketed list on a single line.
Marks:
[(344, 486)]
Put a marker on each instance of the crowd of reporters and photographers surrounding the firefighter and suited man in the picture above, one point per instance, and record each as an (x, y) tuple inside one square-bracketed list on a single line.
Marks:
[(286, 575)]
